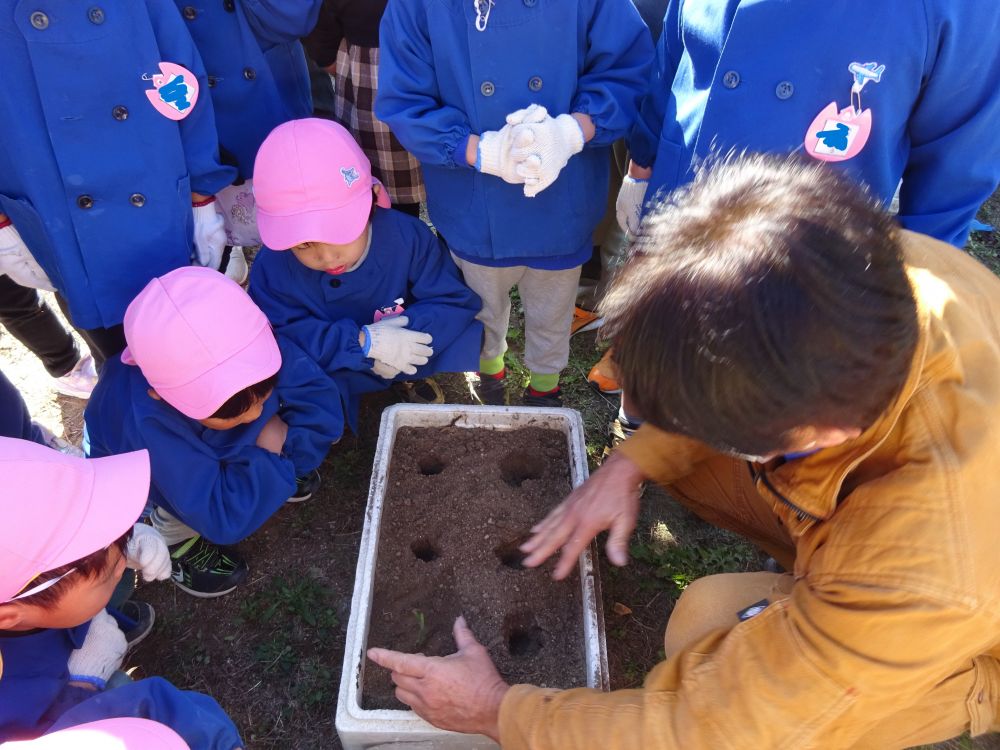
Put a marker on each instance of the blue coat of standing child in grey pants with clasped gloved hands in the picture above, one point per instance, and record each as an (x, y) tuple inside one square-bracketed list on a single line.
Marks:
[(440, 80)]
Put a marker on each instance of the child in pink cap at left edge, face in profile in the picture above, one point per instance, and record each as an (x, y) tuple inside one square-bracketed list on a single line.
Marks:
[(64, 543)]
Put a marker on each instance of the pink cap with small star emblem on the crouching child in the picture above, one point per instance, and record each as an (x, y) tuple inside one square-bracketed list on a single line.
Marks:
[(312, 183)]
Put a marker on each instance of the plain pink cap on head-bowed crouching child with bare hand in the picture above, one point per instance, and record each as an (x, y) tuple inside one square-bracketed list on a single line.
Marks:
[(199, 339)]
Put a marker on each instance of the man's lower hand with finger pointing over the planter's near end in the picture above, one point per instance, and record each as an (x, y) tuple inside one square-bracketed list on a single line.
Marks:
[(460, 693)]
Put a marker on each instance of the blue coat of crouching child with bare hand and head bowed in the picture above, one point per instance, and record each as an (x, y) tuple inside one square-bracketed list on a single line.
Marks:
[(218, 482)]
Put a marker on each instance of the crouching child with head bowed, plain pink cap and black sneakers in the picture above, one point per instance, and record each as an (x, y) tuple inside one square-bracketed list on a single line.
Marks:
[(201, 385)]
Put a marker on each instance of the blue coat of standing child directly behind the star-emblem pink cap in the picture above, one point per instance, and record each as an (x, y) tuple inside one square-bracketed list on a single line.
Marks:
[(256, 67)]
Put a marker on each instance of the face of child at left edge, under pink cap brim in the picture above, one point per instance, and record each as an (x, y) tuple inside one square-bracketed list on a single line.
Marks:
[(78, 603)]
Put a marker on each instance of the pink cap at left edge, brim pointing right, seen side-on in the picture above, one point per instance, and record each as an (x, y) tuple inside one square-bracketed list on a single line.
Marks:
[(58, 509)]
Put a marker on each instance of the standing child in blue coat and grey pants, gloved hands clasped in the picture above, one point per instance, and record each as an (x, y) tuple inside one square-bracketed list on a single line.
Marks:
[(455, 81)]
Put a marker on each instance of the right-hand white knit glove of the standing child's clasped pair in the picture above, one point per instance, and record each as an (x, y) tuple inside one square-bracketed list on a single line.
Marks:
[(542, 157)]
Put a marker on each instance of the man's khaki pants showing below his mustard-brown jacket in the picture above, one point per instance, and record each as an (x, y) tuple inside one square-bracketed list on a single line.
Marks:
[(722, 493)]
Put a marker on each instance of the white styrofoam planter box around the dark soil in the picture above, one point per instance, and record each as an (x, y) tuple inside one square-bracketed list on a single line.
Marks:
[(384, 728)]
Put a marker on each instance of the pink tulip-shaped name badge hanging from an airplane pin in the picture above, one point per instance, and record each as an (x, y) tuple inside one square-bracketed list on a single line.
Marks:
[(840, 134)]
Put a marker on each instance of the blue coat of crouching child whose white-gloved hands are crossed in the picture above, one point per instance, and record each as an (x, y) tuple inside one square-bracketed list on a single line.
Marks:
[(323, 314)]
